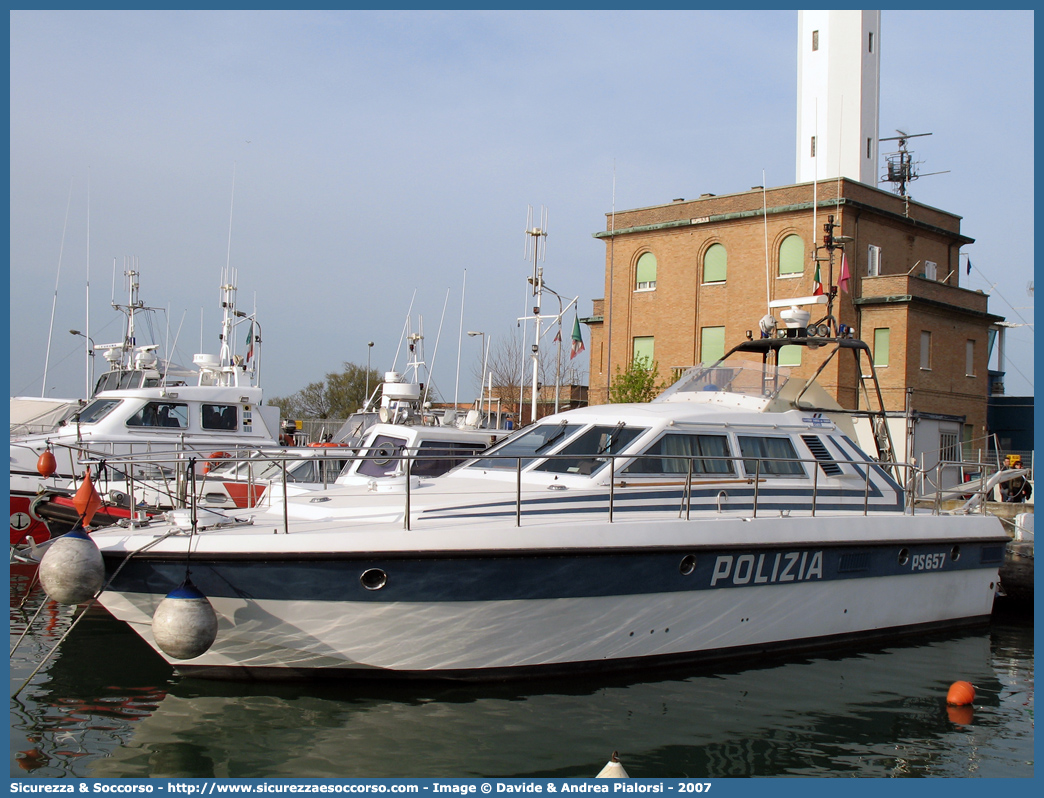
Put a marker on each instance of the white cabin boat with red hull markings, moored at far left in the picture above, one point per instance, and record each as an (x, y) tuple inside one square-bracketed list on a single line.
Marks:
[(145, 408)]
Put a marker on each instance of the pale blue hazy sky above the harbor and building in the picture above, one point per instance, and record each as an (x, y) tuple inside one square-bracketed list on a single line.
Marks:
[(351, 165)]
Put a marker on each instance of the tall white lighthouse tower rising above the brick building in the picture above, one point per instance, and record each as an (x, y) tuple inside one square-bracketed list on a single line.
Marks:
[(839, 96)]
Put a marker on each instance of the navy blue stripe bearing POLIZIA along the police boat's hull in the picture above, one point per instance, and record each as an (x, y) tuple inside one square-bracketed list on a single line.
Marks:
[(497, 577)]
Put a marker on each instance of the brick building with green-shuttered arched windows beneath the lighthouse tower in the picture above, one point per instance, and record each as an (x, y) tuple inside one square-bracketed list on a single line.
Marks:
[(686, 281)]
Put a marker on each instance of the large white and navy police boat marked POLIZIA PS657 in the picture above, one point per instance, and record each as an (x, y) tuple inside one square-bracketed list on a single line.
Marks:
[(733, 515)]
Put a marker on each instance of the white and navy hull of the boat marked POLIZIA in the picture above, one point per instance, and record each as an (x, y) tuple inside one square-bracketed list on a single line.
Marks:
[(476, 616)]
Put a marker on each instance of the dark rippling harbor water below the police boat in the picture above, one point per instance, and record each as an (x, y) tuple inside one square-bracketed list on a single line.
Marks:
[(106, 707)]
